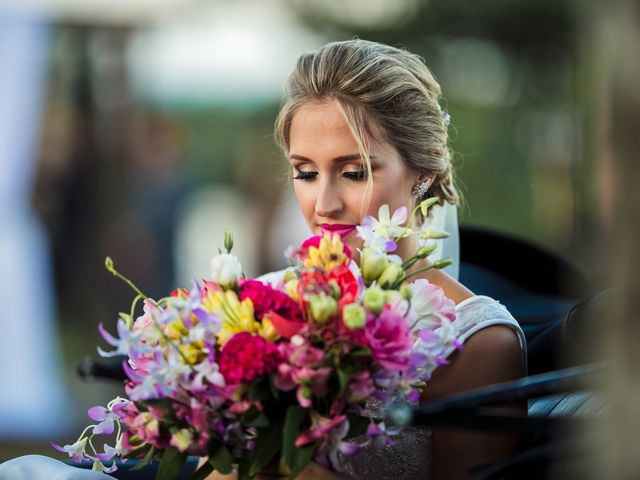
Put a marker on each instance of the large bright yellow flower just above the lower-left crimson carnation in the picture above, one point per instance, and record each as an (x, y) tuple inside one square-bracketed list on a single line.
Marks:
[(236, 316)]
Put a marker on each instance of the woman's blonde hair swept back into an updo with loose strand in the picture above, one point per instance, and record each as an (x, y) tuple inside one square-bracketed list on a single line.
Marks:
[(380, 90)]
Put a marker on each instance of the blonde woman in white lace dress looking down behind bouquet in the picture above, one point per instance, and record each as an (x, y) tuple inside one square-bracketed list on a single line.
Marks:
[(361, 126)]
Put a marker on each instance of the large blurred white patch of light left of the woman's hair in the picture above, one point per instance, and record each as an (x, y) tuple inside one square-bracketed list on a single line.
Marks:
[(216, 54)]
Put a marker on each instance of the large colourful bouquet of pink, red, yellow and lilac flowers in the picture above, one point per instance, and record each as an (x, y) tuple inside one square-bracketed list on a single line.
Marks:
[(253, 374)]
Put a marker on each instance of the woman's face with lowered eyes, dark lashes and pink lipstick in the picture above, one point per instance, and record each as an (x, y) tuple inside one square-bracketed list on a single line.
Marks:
[(330, 178)]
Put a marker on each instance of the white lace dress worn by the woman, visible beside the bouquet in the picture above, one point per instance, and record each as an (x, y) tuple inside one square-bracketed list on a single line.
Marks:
[(410, 455)]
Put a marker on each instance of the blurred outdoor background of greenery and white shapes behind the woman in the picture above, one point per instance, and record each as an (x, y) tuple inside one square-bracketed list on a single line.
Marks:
[(142, 129)]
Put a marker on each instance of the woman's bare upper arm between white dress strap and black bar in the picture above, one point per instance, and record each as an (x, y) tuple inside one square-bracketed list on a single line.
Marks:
[(491, 355)]
